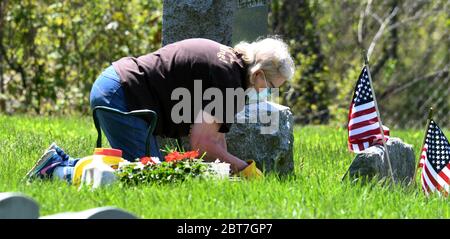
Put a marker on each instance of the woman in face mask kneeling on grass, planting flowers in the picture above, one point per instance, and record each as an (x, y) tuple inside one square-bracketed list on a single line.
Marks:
[(147, 82)]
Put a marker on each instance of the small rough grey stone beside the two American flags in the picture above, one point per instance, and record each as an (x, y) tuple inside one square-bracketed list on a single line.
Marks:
[(373, 162)]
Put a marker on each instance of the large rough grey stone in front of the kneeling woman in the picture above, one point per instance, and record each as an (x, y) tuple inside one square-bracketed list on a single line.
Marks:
[(269, 144)]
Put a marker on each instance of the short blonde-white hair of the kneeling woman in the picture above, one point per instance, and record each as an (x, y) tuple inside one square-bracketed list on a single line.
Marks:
[(270, 55)]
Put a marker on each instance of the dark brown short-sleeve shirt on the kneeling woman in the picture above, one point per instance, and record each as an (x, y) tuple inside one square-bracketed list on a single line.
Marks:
[(148, 81)]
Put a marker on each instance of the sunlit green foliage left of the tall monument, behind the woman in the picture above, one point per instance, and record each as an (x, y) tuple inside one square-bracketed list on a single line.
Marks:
[(53, 51)]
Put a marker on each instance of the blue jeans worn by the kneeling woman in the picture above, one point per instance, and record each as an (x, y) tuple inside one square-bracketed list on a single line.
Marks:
[(127, 133)]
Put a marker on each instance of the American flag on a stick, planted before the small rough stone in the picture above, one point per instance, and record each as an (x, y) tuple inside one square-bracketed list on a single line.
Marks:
[(363, 125)]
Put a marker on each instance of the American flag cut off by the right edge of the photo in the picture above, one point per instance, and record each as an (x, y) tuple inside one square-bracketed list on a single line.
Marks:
[(435, 161)]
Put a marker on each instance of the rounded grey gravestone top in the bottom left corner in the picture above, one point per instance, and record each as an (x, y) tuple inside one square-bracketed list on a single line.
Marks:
[(18, 206)]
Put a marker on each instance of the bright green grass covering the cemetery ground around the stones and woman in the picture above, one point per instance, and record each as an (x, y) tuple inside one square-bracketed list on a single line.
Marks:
[(314, 190)]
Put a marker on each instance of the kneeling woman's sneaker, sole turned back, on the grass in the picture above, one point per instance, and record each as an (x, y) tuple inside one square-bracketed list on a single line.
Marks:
[(43, 167)]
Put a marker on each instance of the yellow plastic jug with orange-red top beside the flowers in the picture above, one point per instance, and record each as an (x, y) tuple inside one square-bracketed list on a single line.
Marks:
[(110, 157)]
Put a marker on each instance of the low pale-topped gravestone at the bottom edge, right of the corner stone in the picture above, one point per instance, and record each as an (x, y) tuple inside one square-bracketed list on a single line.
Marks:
[(95, 213)]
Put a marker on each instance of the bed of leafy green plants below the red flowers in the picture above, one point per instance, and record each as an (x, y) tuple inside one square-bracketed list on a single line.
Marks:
[(165, 172)]
